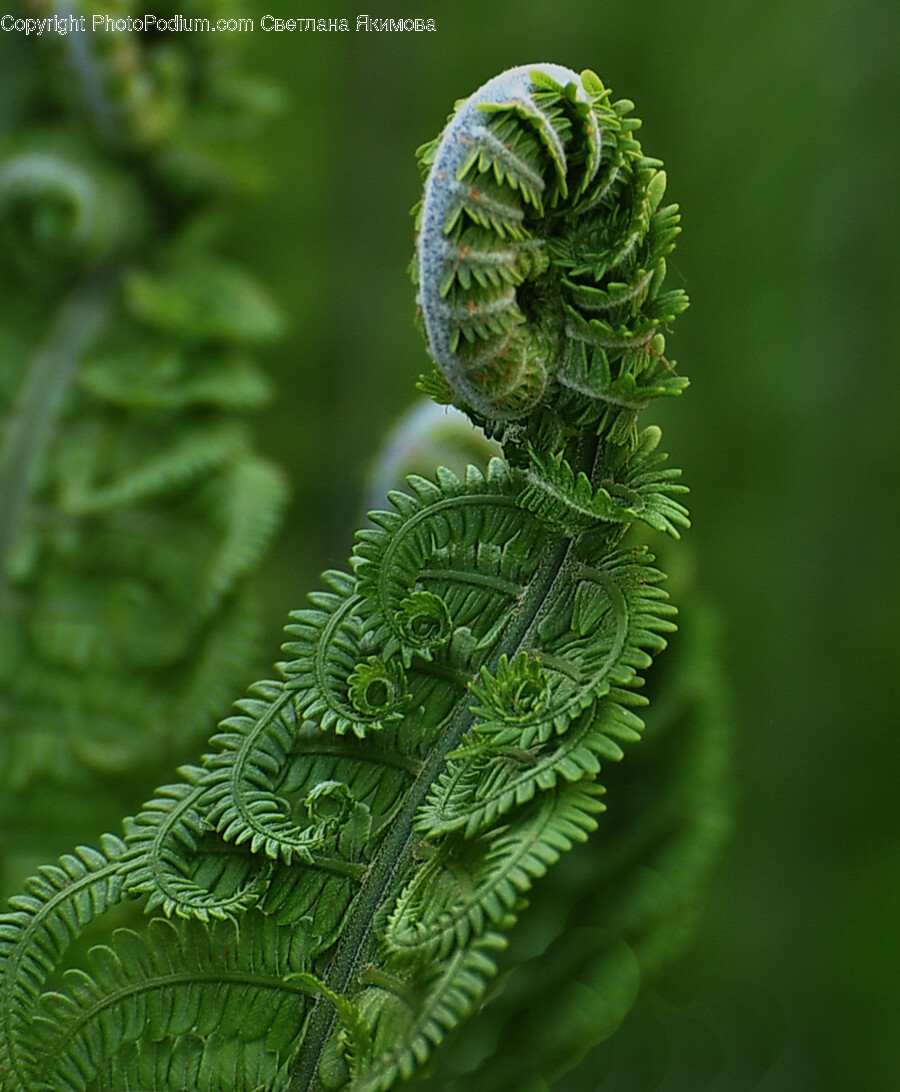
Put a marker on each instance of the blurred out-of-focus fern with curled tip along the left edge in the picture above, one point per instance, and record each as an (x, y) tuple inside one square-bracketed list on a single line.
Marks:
[(134, 504)]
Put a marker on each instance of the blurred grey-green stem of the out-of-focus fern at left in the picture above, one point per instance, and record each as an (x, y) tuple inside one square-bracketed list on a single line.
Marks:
[(46, 382)]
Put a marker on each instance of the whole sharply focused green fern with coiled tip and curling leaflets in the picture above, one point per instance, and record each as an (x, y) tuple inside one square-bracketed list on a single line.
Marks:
[(333, 888)]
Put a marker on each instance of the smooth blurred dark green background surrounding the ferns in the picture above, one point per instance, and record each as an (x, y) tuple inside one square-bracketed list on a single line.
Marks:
[(778, 125)]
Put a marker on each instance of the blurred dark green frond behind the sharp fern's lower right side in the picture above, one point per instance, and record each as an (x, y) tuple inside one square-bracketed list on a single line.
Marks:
[(622, 906)]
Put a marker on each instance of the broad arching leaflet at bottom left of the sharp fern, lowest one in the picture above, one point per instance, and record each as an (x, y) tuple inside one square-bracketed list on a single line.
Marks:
[(186, 980)]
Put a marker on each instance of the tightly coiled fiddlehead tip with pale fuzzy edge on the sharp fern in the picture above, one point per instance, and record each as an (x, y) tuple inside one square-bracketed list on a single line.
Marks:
[(541, 253)]
